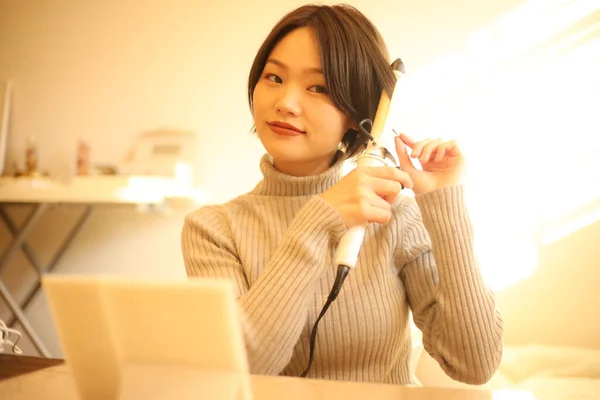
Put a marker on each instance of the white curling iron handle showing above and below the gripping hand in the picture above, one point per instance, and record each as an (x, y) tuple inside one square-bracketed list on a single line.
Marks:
[(350, 244)]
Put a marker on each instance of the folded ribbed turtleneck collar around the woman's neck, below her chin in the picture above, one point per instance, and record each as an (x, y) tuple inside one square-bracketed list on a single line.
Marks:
[(276, 183)]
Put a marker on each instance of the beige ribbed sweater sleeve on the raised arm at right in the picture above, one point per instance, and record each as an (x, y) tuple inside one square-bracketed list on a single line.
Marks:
[(451, 305)]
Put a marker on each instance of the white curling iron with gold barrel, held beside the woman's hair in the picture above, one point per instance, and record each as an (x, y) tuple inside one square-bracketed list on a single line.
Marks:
[(376, 155)]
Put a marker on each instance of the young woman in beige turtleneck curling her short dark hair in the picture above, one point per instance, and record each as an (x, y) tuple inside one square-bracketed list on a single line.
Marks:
[(320, 71)]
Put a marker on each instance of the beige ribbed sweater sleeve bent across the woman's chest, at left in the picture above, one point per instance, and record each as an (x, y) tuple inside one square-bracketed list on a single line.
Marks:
[(274, 310)]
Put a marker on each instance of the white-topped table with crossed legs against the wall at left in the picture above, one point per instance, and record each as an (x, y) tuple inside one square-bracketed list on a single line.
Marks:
[(87, 192)]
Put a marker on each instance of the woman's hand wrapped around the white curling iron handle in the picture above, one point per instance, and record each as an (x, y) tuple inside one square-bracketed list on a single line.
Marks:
[(366, 194)]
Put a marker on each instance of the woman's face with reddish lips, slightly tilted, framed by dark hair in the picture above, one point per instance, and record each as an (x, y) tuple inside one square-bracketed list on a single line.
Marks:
[(296, 121)]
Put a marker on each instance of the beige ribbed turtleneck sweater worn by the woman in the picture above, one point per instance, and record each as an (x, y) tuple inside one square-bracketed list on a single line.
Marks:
[(278, 244)]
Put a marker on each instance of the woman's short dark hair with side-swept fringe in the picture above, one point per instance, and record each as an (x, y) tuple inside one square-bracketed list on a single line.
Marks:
[(356, 62)]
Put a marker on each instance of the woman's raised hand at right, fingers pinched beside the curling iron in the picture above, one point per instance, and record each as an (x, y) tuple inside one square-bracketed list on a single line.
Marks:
[(443, 163)]
